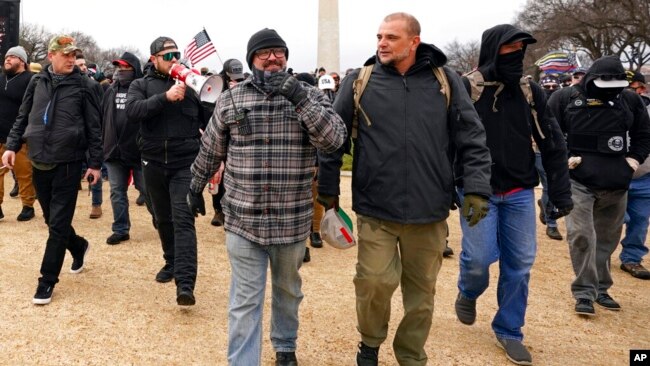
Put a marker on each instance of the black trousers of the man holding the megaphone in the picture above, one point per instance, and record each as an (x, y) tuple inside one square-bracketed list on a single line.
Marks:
[(167, 189)]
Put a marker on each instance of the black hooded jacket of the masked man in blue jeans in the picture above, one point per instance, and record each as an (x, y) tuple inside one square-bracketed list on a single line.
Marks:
[(509, 129)]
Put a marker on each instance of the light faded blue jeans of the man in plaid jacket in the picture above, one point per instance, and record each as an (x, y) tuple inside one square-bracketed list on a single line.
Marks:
[(249, 262)]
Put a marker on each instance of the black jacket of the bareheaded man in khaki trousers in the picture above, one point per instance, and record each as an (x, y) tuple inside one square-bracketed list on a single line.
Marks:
[(402, 170)]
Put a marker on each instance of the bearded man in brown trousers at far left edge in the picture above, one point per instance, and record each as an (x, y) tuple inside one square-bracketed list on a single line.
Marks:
[(13, 83)]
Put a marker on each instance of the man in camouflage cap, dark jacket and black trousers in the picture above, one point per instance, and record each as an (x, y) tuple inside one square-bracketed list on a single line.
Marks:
[(60, 120)]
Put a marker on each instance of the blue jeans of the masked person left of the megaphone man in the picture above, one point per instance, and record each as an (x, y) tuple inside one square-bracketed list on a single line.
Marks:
[(118, 176)]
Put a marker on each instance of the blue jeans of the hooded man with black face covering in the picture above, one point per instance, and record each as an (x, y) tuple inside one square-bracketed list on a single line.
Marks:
[(507, 234)]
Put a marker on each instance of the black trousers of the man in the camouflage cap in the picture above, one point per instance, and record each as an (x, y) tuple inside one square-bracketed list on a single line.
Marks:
[(57, 191)]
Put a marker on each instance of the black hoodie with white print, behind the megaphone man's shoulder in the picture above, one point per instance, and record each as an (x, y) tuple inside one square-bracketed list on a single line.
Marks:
[(120, 135)]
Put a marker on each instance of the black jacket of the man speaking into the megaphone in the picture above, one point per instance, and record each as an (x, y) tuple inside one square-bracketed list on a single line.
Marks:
[(169, 131)]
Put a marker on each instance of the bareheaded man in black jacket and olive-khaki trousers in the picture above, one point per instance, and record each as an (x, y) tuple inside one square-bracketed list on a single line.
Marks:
[(403, 183)]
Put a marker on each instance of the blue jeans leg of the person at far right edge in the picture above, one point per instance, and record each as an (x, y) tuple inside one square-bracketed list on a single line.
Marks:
[(636, 220)]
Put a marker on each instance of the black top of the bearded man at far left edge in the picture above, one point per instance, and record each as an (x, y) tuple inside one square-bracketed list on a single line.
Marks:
[(12, 90)]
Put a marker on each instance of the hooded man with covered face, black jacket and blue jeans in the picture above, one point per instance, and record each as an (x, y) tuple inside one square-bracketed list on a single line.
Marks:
[(507, 234)]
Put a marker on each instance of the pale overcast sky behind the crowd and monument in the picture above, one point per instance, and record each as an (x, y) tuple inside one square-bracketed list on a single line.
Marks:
[(230, 24)]
